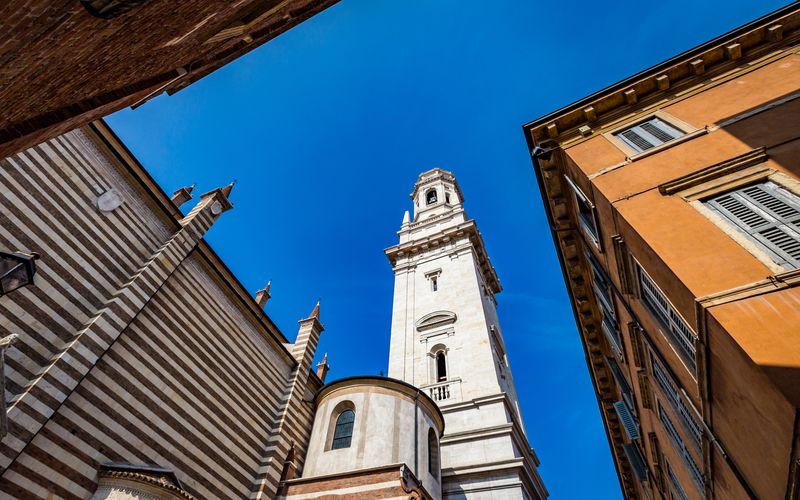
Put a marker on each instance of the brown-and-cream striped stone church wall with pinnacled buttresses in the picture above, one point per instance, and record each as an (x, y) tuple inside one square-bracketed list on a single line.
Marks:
[(135, 345)]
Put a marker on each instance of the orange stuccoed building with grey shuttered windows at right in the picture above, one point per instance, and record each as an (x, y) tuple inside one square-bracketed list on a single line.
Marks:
[(674, 202)]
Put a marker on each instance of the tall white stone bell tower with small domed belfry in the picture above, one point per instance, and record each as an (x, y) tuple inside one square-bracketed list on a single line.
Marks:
[(447, 341)]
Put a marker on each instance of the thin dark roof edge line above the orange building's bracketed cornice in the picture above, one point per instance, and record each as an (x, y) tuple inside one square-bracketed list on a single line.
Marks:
[(736, 32)]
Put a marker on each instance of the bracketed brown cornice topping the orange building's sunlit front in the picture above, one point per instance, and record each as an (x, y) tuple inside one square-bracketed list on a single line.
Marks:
[(696, 68)]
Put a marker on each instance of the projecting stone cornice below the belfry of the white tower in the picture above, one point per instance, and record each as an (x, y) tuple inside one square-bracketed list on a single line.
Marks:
[(465, 229)]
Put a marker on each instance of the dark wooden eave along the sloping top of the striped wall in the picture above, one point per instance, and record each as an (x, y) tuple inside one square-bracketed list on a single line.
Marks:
[(105, 138)]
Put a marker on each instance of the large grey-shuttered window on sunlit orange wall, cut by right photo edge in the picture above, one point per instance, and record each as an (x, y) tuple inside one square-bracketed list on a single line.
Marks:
[(768, 215)]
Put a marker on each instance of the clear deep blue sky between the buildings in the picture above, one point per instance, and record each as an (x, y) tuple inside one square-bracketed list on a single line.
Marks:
[(327, 127)]
